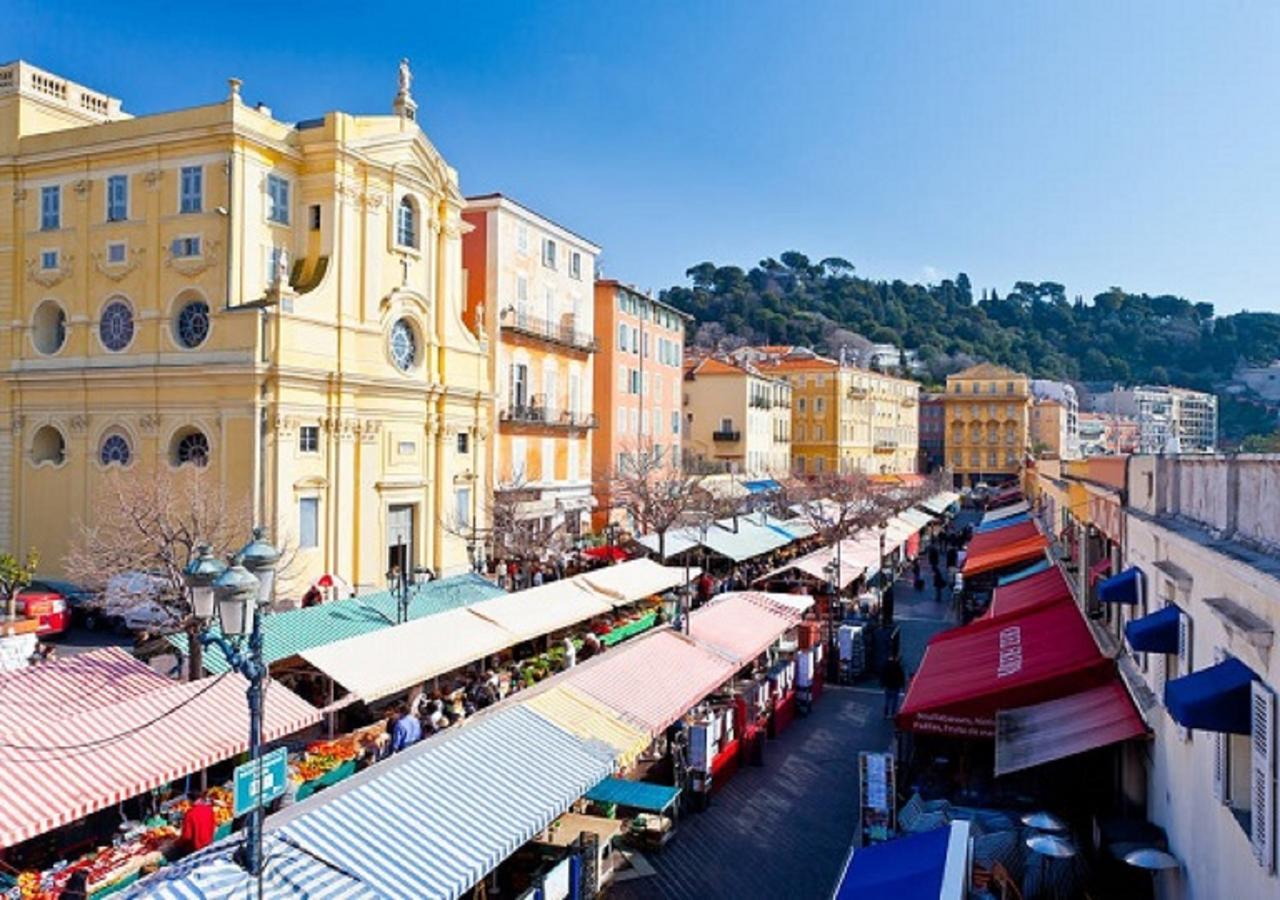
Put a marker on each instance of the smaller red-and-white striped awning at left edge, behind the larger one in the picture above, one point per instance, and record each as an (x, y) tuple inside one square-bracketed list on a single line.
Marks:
[(71, 686)]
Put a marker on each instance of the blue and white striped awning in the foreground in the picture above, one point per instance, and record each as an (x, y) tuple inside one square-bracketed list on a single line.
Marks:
[(432, 824)]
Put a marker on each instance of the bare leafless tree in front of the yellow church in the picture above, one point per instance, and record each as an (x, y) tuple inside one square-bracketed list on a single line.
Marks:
[(153, 526)]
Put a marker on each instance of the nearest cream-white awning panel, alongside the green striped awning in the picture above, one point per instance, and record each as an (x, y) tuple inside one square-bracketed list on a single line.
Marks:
[(383, 663)]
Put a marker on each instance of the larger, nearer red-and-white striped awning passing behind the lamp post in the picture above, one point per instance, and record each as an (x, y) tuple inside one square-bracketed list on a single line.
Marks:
[(57, 769)]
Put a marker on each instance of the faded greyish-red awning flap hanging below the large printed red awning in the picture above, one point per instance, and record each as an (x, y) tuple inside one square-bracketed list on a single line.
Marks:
[(1076, 724)]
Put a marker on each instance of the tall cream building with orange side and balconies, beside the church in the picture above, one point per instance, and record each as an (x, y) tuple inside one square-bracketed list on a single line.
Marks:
[(529, 293)]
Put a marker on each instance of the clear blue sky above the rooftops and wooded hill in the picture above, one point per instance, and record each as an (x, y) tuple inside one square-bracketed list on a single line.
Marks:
[(1092, 144)]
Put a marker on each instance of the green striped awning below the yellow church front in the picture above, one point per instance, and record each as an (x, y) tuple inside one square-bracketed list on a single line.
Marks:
[(287, 634)]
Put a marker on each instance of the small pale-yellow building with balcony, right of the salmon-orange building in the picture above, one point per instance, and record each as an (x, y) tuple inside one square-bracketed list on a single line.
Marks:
[(737, 419)]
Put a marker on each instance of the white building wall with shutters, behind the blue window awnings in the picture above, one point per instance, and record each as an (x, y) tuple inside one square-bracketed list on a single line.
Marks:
[(1215, 851)]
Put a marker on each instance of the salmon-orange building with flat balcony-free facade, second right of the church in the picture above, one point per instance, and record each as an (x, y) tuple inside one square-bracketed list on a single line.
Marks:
[(638, 383)]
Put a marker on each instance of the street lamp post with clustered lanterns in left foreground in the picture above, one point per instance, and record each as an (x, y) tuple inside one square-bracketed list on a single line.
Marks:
[(243, 593)]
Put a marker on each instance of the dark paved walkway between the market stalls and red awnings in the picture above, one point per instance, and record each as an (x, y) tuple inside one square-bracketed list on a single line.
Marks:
[(784, 830)]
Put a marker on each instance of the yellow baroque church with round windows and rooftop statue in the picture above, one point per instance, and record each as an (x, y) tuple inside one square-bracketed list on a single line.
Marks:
[(281, 304)]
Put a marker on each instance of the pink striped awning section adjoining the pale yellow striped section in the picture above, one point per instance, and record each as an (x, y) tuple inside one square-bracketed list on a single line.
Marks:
[(655, 680)]
